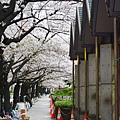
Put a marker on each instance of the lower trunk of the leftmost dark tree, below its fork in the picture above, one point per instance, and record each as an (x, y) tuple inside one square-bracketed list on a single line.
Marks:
[(7, 105)]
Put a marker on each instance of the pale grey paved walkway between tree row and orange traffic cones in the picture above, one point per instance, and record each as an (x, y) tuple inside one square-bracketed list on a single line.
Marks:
[(40, 109)]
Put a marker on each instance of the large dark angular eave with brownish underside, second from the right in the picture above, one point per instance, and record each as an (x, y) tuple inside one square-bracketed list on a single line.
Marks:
[(101, 23)]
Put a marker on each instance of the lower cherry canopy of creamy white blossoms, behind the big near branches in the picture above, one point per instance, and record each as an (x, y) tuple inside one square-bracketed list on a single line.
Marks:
[(42, 63)]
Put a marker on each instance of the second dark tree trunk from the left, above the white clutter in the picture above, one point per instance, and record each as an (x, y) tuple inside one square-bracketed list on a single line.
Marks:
[(16, 95)]
